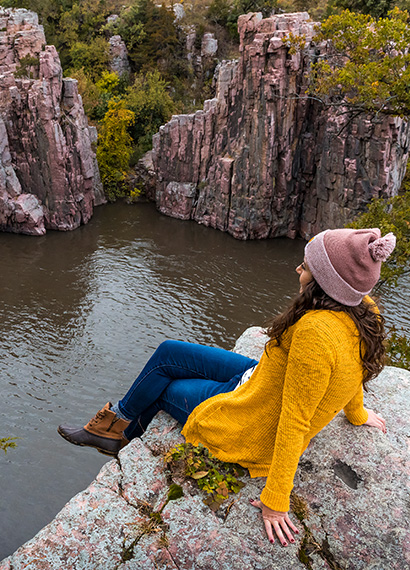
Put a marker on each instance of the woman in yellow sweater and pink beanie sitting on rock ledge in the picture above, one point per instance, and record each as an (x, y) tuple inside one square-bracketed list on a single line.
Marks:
[(322, 352)]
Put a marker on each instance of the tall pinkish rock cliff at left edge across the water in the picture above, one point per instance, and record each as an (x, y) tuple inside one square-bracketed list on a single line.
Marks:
[(49, 176)]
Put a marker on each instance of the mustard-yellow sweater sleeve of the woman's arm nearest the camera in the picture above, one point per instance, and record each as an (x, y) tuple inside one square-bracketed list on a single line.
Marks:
[(310, 362)]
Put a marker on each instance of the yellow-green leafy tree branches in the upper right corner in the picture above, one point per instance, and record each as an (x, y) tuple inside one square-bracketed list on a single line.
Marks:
[(366, 66)]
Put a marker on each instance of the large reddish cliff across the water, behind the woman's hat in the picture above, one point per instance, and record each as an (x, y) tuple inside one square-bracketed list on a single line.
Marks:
[(261, 160)]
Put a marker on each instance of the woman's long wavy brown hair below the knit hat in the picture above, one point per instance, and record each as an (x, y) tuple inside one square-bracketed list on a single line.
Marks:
[(369, 323)]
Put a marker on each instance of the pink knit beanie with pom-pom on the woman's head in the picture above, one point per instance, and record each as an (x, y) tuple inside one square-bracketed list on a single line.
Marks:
[(346, 263)]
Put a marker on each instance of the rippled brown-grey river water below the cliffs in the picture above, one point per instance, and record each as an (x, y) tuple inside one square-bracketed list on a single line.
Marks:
[(81, 312)]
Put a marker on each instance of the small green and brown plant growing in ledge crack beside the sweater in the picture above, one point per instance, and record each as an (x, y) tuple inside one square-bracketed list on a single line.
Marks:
[(213, 476)]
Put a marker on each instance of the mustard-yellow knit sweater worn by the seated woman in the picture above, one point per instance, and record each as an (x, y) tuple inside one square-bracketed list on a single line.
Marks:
[(296, 389)]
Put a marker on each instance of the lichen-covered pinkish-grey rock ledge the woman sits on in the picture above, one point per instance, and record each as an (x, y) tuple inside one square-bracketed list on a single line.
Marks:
[(353, 482)]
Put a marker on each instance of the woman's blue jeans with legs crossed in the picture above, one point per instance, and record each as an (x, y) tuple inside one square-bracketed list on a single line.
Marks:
[(178, 377)]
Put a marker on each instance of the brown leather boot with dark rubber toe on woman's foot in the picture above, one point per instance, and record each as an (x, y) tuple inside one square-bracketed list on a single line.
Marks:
[(104, 432)]
